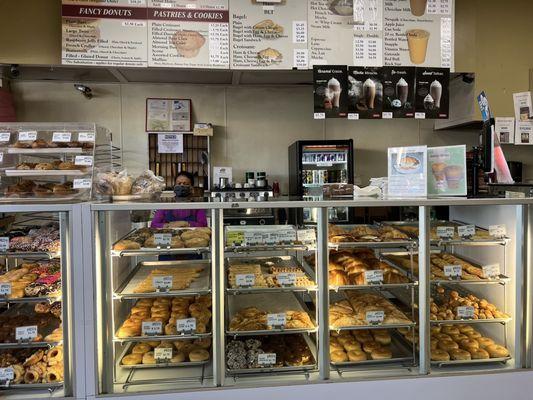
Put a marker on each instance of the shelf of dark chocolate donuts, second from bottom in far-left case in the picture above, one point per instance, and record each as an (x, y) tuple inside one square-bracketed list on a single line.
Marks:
[(28, 325)]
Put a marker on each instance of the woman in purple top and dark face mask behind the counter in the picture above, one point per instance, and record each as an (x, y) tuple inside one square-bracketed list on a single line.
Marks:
[(180, 218)]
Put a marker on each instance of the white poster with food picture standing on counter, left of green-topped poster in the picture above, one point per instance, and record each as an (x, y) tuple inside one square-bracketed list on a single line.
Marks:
[(407, 171)]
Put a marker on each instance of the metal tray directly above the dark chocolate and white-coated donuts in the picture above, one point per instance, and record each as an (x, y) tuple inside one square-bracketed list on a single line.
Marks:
[(270, 302)]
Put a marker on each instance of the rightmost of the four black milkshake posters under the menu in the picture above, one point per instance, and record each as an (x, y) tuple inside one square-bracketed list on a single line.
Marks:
[(431, 93)]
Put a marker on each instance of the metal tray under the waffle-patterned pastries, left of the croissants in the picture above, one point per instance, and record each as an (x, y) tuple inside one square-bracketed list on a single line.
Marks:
[(283, 261)]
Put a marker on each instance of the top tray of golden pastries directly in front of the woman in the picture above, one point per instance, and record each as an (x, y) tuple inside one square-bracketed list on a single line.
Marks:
[(146, 241)]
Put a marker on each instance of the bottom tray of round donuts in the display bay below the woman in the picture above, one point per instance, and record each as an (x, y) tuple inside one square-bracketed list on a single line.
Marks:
[(165, 354)]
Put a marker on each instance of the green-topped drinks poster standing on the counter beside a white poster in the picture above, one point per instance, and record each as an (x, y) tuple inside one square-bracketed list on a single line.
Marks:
[(447, 171)]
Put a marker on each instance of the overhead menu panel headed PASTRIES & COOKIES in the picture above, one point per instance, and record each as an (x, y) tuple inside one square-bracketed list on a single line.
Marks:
[(191, 33)]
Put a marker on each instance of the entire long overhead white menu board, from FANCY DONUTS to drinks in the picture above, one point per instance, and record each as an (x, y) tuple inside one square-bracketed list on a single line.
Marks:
[(251, 34)]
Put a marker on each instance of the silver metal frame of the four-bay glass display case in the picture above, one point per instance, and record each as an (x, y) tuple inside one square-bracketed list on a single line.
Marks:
[(521, 357)]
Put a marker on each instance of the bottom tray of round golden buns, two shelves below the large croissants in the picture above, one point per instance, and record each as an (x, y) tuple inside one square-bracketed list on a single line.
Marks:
[(369, 347)]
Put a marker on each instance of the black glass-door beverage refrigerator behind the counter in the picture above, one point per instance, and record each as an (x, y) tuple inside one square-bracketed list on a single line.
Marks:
[(314, 164)]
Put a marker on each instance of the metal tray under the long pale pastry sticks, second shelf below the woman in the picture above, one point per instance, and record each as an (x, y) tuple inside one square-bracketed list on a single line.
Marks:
[(199, 286)]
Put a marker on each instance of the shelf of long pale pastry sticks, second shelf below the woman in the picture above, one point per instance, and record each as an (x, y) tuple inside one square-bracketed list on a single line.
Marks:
[(167, 279)]
